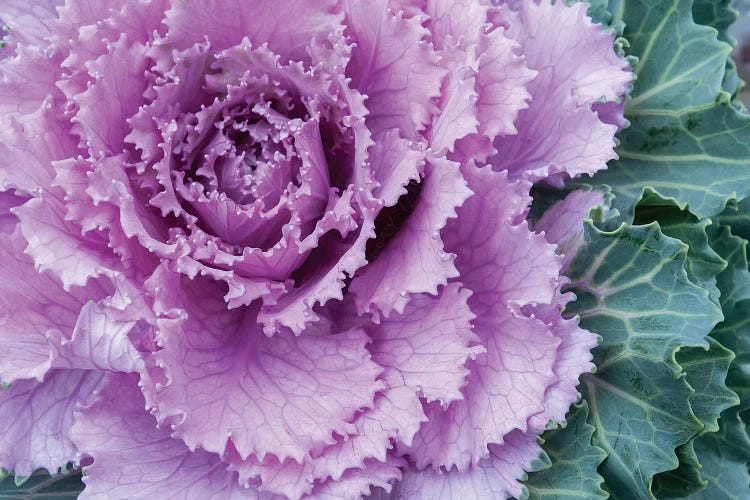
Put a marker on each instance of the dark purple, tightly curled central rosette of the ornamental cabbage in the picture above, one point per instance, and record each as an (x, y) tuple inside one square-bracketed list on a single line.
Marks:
[(249, 170)]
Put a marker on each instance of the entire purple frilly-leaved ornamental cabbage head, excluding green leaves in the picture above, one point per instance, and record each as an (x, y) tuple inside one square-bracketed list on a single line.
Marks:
[(278, 249)]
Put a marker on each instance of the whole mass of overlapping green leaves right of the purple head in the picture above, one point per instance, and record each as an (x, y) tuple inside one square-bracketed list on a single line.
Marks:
[(661, 274)]
